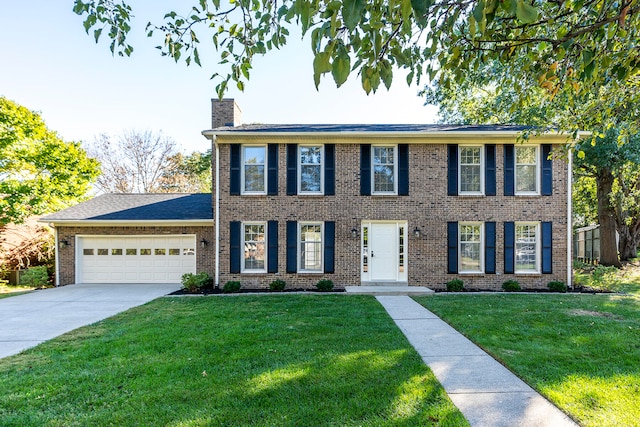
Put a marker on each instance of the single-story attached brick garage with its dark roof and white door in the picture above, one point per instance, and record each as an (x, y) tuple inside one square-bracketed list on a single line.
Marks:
[(134, 238)]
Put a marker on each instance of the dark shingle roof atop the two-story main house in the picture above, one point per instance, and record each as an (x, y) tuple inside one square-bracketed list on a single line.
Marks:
[(364, 128)]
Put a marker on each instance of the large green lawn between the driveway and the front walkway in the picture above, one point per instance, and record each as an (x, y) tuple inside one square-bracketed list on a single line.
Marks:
[(302, 360)]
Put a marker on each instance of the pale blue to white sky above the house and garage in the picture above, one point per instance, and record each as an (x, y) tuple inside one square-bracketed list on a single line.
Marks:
[(50, 65)]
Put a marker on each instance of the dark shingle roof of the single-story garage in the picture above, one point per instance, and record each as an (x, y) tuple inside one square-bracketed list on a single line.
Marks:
[(138, 207)]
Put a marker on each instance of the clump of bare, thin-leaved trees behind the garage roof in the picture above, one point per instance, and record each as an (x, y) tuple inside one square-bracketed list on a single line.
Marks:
[(148, 162)]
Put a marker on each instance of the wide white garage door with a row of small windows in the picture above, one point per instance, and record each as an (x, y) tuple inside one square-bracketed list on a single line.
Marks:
[(135, 259)]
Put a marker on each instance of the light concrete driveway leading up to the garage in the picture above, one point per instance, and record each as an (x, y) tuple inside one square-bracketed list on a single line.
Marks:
[(29, 319)]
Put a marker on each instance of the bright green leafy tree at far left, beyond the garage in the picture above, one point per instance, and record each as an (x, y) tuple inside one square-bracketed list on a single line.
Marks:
[(39, 172)]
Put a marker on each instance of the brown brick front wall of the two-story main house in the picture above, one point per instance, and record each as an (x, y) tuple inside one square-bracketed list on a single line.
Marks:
[(427, 207)]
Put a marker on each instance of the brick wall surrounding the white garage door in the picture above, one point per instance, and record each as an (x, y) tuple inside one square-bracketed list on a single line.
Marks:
[(204, 256)]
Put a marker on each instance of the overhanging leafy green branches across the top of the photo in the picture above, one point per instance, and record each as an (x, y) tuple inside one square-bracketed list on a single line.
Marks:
[(570, 46)]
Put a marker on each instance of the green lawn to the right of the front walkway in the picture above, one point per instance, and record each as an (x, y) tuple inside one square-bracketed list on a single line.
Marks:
[(581, 351)]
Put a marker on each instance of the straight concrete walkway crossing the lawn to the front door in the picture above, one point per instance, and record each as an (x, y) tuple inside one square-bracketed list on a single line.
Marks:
[(486, 392)]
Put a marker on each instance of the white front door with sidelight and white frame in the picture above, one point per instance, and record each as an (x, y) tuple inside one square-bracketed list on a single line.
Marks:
[(384, 252)]
